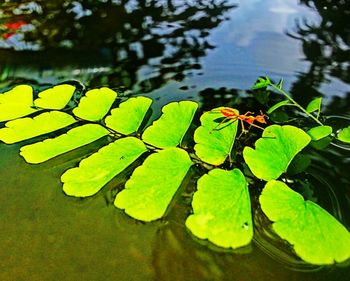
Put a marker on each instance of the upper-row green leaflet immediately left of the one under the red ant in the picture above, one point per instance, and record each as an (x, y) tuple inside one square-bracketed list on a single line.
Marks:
[(171, 127)]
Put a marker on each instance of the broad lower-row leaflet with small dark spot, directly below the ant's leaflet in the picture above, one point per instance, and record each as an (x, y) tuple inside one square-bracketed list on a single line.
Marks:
[(221, 209)]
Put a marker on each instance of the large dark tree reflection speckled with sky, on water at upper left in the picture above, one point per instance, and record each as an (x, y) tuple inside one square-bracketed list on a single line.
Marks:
[(161, 39)]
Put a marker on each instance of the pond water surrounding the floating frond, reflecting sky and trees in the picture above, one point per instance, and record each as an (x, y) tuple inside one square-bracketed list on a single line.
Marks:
[(207, 51)]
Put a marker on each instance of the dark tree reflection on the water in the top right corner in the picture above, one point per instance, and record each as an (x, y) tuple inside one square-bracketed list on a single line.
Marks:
[(325, 45)]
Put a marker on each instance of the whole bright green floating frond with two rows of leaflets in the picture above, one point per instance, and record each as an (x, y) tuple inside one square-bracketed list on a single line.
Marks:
[(221, 204)]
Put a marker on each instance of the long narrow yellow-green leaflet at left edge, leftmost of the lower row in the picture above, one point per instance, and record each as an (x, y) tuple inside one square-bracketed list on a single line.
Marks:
[(26, 128)]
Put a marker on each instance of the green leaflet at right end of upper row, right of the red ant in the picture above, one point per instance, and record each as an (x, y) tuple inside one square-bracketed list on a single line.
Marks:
[(275, 150)]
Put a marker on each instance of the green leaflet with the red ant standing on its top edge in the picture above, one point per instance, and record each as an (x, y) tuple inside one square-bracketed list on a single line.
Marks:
[(214, 141)]
